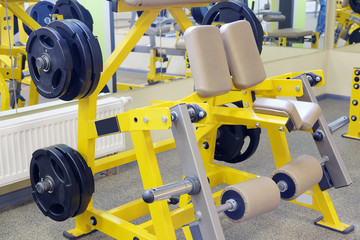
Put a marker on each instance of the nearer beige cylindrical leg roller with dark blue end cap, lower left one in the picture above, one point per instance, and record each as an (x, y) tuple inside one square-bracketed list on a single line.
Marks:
[(253, 198)]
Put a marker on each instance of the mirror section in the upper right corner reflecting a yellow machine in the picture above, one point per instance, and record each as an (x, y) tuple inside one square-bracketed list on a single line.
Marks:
[(347, 25)]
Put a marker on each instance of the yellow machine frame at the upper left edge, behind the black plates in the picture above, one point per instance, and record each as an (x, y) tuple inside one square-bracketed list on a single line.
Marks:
[(16, 7)]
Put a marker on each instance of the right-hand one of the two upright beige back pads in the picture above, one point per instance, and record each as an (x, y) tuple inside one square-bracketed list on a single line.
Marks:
[(242, 54)]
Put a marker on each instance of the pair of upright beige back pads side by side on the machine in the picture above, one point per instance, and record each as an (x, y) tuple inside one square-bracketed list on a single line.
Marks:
[(213, 52)]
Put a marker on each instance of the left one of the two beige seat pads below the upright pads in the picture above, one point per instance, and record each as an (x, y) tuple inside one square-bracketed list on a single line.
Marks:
[(280, 108)]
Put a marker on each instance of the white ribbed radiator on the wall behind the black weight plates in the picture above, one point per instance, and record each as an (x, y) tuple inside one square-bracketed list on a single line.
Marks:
[(20, 137)]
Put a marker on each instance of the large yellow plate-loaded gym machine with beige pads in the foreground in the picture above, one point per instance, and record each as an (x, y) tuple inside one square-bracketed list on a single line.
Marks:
[(235, 48)]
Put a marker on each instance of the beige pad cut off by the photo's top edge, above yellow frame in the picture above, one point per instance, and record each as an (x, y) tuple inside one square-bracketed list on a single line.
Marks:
[(154, 3)]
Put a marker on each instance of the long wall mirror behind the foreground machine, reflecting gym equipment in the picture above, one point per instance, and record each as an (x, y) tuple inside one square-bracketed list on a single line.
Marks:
[(160, 54)]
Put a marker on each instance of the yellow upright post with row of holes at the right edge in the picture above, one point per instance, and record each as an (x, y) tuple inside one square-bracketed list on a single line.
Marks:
[(354, 125)]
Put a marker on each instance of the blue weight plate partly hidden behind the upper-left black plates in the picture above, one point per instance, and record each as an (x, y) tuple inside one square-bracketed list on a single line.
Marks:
[(41, 13)]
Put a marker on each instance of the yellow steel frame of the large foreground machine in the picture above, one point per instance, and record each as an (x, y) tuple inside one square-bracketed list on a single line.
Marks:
[(164, 222)]
